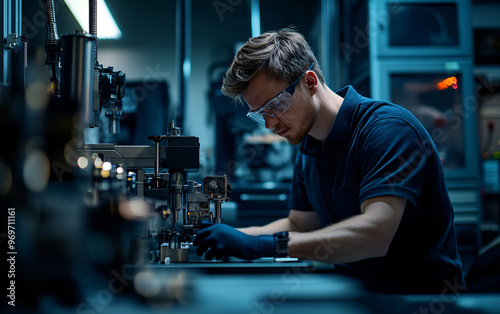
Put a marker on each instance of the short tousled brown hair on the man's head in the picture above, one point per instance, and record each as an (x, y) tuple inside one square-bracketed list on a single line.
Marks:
[(282, 55)]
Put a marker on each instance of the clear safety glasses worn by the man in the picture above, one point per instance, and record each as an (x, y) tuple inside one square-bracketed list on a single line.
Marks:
[(278, 104)]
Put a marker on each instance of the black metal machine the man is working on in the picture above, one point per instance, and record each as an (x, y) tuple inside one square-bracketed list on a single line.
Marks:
[(122, 176)]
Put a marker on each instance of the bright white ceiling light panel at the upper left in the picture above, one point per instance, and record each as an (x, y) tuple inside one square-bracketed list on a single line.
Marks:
[(106, 25)]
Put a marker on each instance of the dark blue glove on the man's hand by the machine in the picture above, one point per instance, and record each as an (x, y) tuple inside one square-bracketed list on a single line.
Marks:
[(221, 240)]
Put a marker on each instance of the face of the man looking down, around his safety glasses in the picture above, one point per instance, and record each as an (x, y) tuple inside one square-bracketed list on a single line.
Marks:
[(296, 122)]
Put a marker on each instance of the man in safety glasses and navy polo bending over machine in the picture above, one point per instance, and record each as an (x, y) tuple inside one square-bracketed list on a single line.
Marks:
[(368, 188)]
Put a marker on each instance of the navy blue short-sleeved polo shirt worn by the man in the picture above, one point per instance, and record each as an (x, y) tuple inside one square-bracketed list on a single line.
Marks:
[(377, 148)]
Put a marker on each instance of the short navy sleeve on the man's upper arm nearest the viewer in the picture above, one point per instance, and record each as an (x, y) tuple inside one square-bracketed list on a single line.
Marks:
[(393, 158)]
